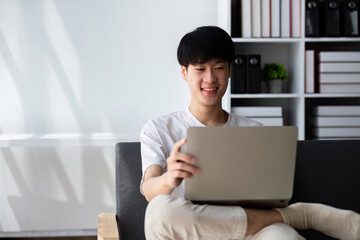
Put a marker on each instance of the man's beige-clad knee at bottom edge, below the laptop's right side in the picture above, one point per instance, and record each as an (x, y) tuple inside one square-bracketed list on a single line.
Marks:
[(278, 231)]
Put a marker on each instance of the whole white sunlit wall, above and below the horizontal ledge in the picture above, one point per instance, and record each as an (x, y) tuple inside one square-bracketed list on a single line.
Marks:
[(82, 66)]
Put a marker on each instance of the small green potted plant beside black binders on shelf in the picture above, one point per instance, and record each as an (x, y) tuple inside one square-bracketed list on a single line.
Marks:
[(274, 74)]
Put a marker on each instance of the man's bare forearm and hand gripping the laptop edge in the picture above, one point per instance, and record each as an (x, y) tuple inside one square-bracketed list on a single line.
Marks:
[(157, 182)]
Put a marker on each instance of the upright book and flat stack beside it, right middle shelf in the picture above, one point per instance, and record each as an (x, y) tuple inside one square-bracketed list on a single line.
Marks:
[(338, 72)]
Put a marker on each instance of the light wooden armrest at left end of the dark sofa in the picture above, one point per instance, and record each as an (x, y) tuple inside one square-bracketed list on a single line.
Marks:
[(107, 227)]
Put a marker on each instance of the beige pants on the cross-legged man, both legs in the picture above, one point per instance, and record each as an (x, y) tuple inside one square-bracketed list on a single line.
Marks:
[(168, 217)]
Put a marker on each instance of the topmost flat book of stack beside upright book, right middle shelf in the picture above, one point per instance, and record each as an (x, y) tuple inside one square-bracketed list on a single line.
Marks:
[(339, 56)]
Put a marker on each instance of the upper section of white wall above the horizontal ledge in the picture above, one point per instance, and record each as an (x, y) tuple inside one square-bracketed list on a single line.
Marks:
[(92, 65)]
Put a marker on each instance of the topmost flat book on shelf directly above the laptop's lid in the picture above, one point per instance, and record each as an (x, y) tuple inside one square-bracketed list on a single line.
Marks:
[(258, 111)]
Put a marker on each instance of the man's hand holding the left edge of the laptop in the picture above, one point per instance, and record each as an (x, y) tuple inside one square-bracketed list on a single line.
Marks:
[(178, 166)]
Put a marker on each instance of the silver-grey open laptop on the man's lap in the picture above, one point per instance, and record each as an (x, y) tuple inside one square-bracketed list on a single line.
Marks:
[(246, 166)]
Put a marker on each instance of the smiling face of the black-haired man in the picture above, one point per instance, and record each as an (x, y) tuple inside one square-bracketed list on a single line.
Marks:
[(207, 82)]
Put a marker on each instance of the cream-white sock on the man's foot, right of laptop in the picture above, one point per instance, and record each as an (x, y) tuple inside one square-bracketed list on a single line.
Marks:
[(338, 223)]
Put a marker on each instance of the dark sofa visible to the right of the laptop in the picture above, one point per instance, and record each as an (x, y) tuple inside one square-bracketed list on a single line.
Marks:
[(327, 172)]
